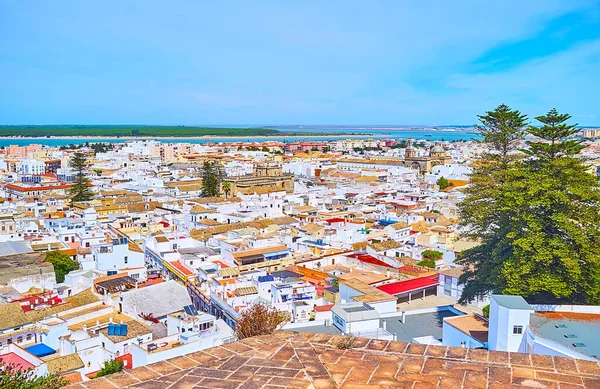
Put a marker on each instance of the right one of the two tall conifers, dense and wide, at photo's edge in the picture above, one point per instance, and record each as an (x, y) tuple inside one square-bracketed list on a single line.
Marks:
[(557, 248)]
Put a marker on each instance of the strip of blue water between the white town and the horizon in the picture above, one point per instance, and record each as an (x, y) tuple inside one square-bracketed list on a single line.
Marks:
[(378, 132)]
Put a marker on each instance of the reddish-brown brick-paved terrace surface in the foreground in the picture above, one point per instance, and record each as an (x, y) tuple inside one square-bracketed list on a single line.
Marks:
[(305, 360)]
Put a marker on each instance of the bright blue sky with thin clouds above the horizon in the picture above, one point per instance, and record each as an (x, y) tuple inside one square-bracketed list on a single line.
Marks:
[(283, 62)]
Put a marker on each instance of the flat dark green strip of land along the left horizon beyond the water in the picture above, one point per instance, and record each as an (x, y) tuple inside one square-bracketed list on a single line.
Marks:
[(99, 130)]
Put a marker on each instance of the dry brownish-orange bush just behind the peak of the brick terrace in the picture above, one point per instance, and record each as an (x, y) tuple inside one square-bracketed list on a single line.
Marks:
[(259, 319)]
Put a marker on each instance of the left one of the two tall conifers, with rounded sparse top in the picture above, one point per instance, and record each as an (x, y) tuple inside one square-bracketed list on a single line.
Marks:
[(486, 212)]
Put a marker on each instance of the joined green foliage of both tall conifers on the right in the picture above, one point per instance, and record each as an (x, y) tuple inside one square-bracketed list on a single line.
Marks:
[(536, 214)]
